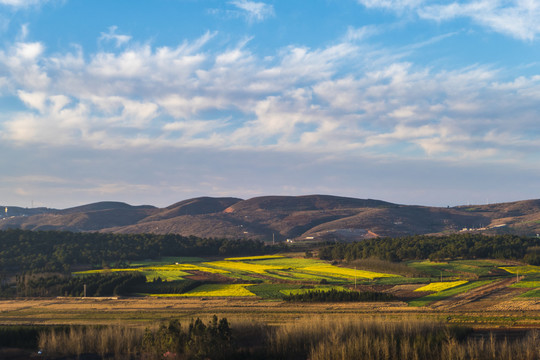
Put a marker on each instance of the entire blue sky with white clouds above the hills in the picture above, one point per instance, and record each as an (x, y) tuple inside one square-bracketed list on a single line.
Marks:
[(422, 102)]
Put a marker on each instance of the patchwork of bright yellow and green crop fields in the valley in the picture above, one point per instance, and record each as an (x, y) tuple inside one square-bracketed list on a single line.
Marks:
[(270, 277)]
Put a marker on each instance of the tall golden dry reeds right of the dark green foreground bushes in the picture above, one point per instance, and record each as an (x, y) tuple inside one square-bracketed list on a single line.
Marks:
[(380, 338)]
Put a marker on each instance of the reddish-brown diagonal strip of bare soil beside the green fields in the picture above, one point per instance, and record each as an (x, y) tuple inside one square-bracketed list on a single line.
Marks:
[(460, 300)]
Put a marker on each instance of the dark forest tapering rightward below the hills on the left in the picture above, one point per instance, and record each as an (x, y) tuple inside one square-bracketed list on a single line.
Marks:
[(58, 251)]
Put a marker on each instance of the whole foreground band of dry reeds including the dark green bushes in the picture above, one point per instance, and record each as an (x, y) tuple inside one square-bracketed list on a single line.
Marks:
[(316, 339)]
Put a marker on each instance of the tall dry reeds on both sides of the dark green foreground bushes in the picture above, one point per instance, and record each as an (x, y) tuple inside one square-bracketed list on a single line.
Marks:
[(316, 338)]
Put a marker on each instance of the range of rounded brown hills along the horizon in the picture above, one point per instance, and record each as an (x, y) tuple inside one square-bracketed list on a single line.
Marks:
[(312, 217)]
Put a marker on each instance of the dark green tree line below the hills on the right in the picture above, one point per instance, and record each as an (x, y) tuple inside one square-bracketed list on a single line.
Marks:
[(419, 247)]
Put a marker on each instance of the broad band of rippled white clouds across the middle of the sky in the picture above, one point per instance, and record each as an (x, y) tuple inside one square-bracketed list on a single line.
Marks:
[(302, 99)]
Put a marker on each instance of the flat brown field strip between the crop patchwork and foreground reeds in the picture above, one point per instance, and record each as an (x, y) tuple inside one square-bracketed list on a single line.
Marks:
[(142, 311)]
